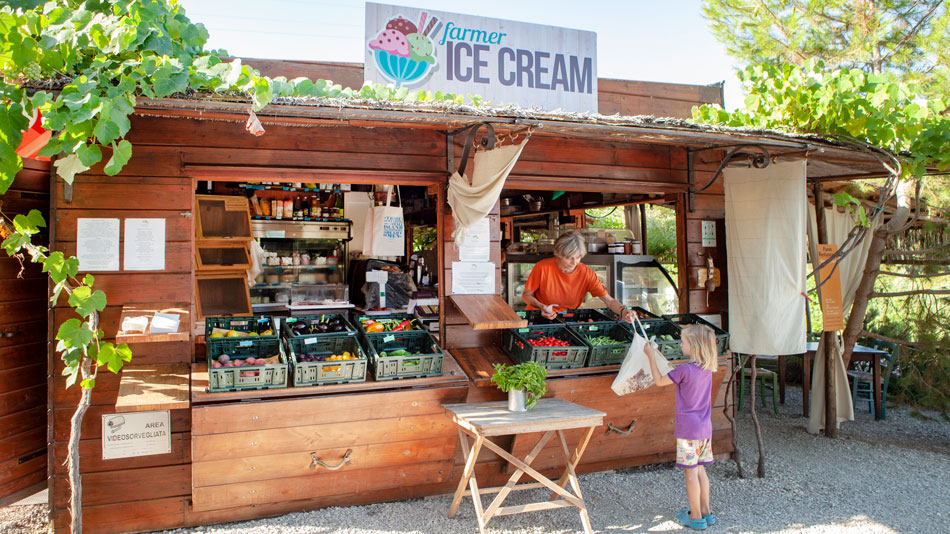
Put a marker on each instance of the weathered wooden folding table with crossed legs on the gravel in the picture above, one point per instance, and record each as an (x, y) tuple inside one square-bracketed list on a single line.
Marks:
[(478, 421)]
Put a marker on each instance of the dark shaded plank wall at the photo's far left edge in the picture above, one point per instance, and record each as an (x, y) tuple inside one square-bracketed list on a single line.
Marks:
[(23, 325)]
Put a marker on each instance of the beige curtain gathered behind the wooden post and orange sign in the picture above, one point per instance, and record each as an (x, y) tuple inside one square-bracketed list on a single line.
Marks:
[(850, 269)]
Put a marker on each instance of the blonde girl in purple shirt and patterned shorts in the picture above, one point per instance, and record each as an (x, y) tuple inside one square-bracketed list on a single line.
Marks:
[(693, 431)]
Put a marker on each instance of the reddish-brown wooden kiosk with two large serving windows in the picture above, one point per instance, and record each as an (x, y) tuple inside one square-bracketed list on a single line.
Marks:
[(253, 454)]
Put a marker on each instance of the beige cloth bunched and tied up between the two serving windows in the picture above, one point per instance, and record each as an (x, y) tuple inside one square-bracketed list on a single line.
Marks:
[(472, 202)]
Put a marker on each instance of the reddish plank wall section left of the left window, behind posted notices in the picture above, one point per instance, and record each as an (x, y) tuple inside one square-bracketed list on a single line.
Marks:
[(115, 499)]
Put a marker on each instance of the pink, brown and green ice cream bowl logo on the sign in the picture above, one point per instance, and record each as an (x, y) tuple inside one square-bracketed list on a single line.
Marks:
[(404, 51)]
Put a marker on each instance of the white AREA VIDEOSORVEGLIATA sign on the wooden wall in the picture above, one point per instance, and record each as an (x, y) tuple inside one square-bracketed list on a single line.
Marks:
[(125, 435)]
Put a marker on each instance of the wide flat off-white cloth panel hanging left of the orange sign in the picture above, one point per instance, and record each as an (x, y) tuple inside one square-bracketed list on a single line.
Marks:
[(765, 244)]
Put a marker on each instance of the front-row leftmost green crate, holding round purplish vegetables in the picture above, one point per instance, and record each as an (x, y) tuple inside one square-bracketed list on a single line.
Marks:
[(269, 376)]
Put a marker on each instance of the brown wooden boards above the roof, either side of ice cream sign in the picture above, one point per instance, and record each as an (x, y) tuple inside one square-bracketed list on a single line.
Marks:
[(613, 96)]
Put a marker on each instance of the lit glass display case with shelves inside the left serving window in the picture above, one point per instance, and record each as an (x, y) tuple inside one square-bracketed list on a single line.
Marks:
[(304, 265)]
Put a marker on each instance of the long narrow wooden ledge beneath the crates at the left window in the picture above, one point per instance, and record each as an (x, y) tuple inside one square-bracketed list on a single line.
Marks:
[(452, 375)]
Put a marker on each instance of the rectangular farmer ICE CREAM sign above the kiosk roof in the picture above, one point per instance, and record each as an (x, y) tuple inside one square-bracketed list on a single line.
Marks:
[(502, 61)]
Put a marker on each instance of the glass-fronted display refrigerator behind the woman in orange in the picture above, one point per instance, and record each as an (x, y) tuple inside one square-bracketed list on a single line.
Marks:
[(634, 280)]
